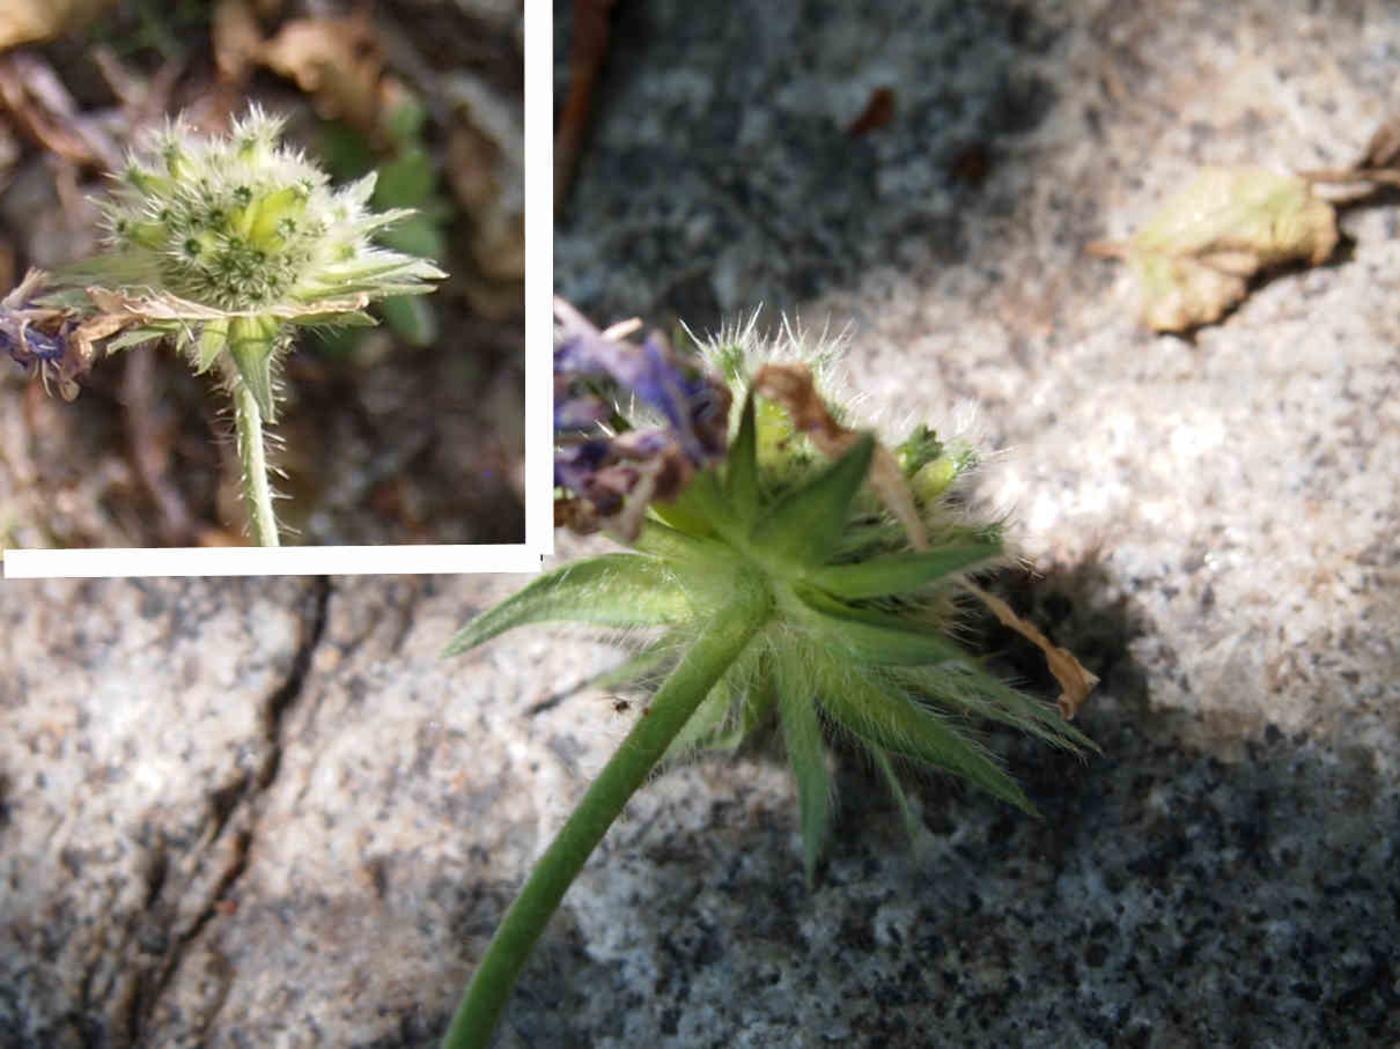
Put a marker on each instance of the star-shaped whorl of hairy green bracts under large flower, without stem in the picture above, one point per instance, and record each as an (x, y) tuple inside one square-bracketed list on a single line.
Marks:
[(856, 634)]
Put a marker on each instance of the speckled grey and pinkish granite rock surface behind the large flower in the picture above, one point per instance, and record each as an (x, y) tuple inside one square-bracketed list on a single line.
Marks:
[(267, 814)]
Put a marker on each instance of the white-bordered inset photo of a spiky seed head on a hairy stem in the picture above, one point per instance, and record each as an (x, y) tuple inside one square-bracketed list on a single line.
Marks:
[(261, 274)]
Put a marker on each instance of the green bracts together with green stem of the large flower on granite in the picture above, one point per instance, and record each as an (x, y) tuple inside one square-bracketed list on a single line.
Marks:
[(776, 585)]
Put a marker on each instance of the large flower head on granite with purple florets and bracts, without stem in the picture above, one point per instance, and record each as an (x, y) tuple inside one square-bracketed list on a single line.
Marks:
[(852, 558)]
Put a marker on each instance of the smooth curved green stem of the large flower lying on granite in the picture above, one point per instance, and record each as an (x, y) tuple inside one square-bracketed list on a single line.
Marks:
[(716, 649)]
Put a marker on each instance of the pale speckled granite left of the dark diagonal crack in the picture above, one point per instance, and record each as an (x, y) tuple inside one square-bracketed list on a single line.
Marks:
[(136, 723)]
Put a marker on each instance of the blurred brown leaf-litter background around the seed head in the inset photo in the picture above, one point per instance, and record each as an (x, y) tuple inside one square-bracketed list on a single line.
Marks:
[(411, 432)]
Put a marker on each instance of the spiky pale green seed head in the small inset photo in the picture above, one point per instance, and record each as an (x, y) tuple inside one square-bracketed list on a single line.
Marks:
[(227, 243)]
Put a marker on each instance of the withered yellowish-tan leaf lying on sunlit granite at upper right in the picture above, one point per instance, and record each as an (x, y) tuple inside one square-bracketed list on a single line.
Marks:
[(1195, 260)]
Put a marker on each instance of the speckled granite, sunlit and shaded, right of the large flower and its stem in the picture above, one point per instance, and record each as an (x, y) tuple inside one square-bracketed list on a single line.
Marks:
[(1217, 519)]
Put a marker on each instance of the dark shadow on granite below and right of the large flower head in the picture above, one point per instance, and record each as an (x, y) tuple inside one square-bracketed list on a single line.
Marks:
[(1165, 898)]
